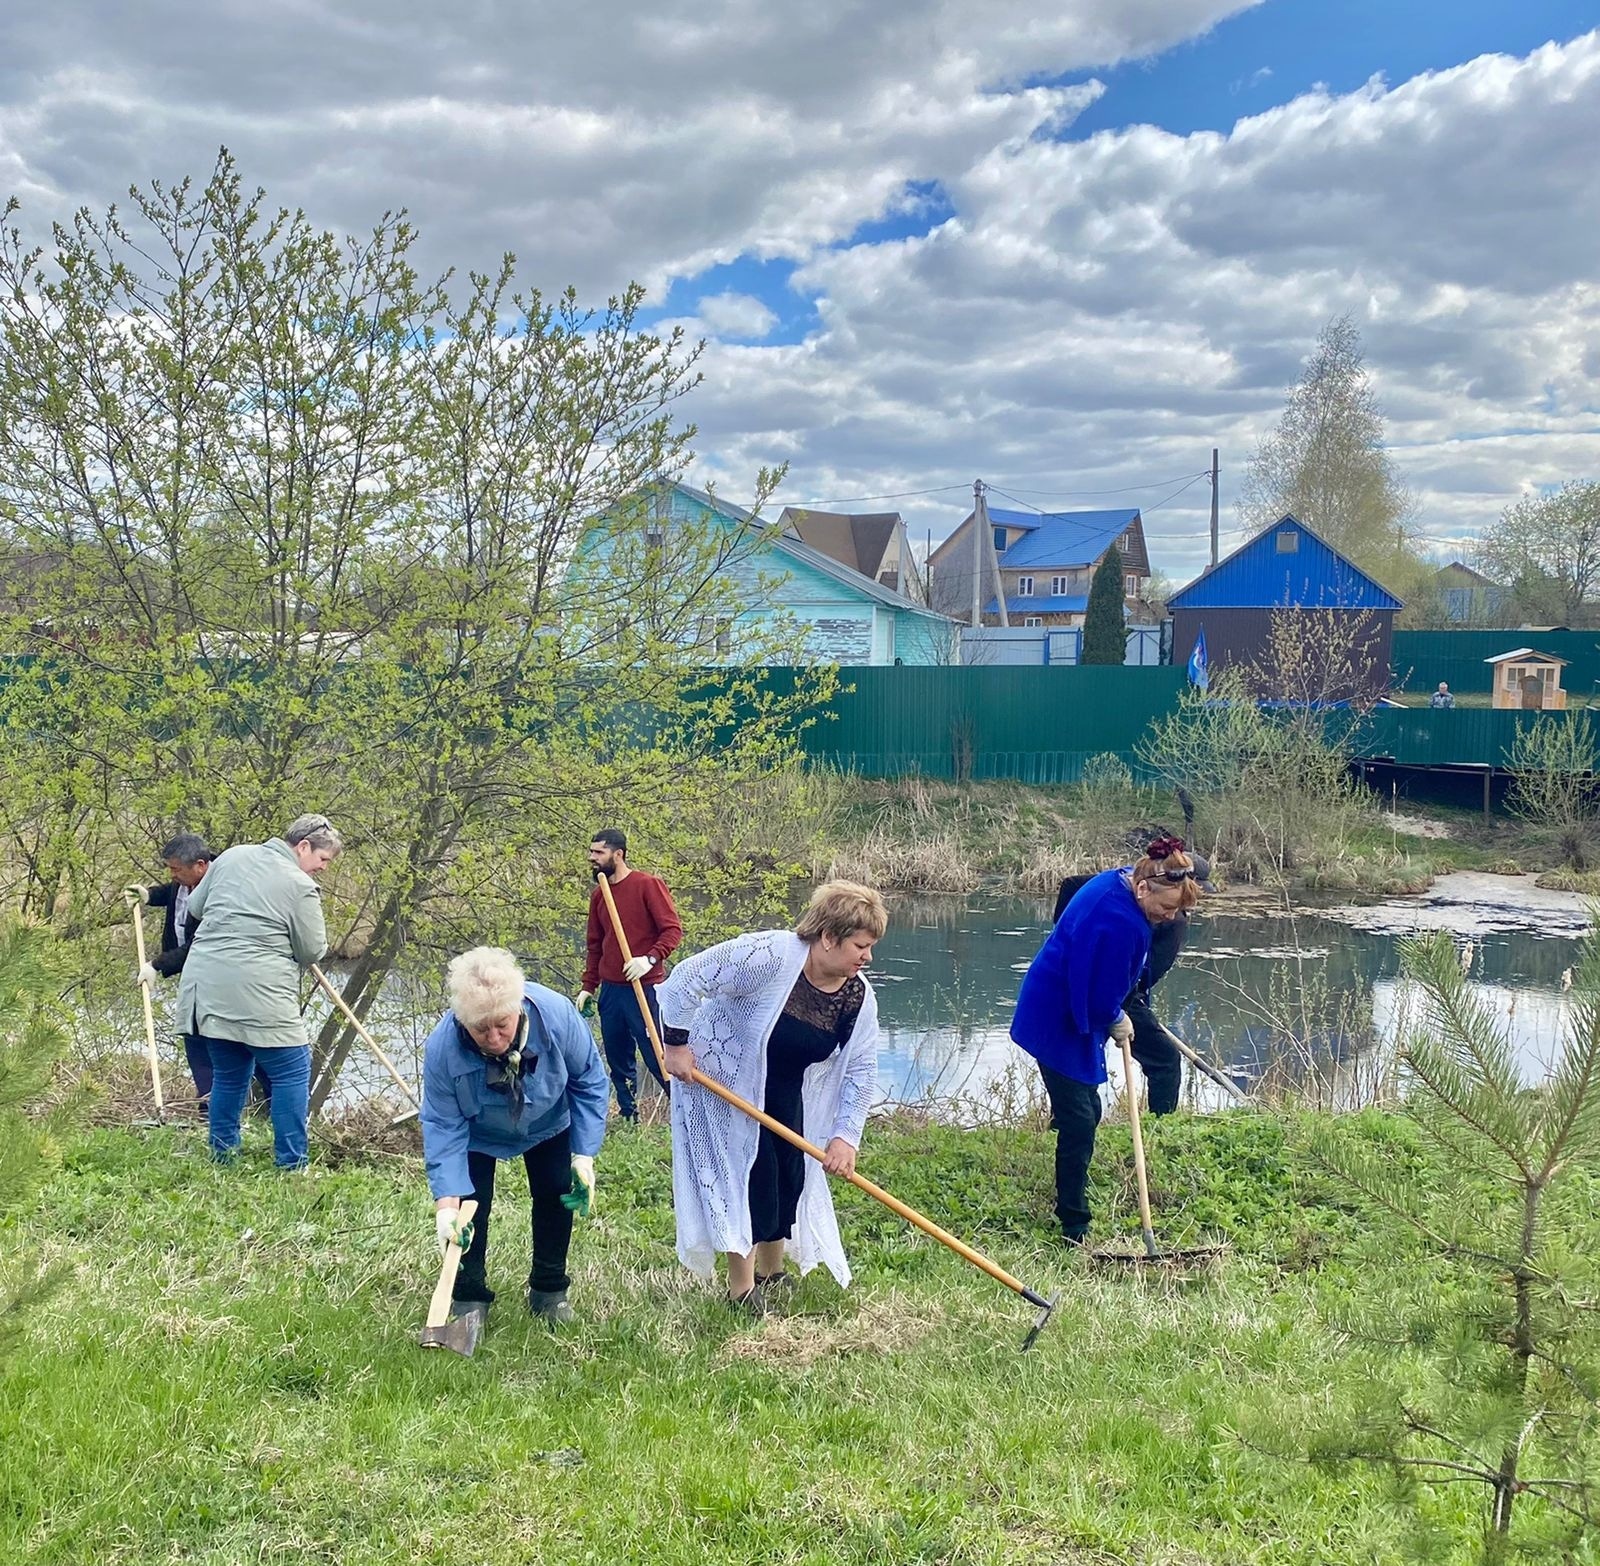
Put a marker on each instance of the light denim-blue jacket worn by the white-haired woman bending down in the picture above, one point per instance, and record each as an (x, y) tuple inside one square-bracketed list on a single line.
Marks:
[(460, 1114)]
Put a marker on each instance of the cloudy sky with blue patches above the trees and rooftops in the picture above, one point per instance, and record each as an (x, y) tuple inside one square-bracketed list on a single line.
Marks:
[(1062, 247)]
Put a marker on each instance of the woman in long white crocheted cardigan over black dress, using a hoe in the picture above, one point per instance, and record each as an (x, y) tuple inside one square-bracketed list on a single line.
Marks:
[(788, 1023)]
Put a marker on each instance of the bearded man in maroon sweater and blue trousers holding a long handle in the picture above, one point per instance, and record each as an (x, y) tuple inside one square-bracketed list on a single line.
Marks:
[(654, 935)]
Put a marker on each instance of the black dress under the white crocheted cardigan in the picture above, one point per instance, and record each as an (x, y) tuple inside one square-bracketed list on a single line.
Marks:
[(812, 1026)]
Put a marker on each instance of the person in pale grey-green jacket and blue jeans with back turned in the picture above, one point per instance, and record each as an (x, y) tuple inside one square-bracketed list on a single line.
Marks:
[(260, 929)]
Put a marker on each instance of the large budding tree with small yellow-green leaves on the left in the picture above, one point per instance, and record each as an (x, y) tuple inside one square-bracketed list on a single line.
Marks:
[(290, 527)]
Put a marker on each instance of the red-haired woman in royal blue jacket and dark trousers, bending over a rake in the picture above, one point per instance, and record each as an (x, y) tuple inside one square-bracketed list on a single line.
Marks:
[(1073, 1002)]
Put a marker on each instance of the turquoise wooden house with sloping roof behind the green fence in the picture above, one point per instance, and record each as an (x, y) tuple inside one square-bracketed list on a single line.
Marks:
[(844, 618)]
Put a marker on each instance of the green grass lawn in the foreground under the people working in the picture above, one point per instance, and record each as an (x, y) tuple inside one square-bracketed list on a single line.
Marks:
[(233, 1373)]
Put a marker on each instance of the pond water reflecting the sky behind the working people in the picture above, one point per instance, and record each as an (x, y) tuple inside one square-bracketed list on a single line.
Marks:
[(1250, 978)]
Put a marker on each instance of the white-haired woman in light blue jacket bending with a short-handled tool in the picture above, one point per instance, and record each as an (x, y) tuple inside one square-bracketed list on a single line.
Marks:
[(511, 1073)]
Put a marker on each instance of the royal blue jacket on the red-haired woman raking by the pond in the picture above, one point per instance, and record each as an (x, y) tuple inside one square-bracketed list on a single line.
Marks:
[(1074, 989)]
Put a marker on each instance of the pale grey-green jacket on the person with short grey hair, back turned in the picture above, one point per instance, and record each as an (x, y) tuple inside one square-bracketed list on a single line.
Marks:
[(260, 927)]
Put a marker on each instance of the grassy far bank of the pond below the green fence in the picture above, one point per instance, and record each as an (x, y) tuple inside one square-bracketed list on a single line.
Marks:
[(918, 834)]
